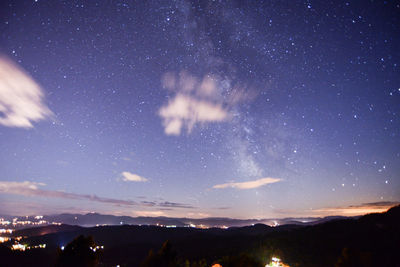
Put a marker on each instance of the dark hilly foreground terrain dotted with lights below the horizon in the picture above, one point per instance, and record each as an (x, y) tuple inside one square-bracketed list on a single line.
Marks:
[(371, 240)]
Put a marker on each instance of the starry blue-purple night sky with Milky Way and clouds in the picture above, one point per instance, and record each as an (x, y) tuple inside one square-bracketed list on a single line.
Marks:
[(199, 108)]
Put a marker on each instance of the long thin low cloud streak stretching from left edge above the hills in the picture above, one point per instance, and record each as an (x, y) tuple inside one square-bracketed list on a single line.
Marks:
[(34, 189)]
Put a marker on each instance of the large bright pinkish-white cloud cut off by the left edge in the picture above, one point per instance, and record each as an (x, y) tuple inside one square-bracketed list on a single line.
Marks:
[(21, 98)]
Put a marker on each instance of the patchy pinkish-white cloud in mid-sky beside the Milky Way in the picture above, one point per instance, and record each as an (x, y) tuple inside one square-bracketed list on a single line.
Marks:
[(196, 101)]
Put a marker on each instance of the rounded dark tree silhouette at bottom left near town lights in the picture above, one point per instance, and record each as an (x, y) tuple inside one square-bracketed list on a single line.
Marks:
[(79, 253)]
